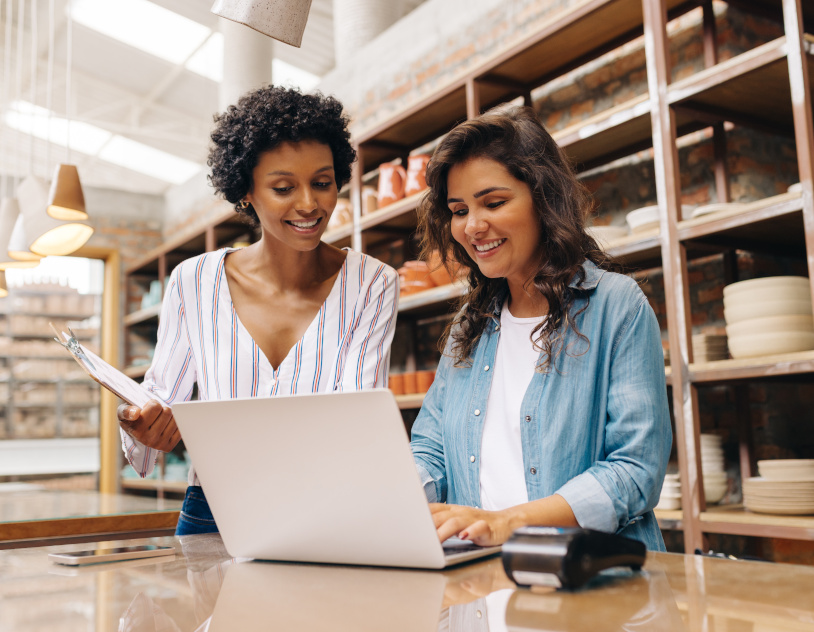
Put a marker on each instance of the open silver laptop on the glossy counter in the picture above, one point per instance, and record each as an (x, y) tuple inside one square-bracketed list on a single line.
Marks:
[(324, 478)]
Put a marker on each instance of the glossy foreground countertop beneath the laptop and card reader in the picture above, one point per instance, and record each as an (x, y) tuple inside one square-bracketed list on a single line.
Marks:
[(203, 588)]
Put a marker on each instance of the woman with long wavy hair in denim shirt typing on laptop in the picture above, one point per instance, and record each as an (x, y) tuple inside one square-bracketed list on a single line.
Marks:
[(549, 405)]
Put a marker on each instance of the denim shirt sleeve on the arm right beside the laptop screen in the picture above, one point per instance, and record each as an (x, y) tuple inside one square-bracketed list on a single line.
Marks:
[(427, 440)]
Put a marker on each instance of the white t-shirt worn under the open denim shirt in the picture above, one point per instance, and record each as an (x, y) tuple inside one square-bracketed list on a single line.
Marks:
[(502, 475)]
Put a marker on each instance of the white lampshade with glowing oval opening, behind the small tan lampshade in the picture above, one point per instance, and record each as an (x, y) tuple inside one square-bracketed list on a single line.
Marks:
[(44, 234)]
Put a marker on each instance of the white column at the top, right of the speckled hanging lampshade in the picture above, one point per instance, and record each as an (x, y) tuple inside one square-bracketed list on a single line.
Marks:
[(356, 22)]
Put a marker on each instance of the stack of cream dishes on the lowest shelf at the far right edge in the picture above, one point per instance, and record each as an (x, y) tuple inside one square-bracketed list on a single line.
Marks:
[(785, 486)]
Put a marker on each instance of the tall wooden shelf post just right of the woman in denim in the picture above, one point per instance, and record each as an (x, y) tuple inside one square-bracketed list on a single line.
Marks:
[(674, 258)]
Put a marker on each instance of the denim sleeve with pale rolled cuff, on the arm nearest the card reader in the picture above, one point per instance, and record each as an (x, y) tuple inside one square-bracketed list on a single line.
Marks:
[(637, 433)]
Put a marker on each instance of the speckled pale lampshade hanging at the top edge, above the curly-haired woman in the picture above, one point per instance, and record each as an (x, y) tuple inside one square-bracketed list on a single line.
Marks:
[(283, 20)]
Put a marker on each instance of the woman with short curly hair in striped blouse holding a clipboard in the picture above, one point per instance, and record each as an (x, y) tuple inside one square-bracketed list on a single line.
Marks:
[(289, 314)]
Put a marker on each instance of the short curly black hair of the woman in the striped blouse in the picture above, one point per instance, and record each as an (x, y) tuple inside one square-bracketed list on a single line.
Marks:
[(261, 120)]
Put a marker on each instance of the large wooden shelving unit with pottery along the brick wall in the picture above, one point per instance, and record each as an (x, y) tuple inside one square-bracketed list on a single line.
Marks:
[(768, 87)]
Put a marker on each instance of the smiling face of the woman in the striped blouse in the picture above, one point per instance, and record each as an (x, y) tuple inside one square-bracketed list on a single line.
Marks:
[(294, 193)]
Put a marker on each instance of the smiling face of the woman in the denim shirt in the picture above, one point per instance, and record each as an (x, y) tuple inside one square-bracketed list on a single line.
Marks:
[(493, 218)]
